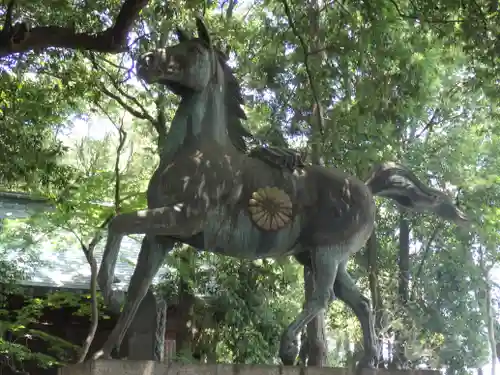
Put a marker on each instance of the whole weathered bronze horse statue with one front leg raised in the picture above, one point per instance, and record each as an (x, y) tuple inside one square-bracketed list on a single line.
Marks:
[(211, 193)]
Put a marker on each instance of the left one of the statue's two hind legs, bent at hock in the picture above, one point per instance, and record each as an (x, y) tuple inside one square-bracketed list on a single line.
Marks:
[(325, 264)]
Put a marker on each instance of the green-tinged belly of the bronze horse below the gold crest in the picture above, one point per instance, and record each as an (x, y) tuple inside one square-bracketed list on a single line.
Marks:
[(239, 237)]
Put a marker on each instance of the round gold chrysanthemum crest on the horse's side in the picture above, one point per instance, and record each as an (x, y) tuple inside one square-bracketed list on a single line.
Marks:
[(270, 208)]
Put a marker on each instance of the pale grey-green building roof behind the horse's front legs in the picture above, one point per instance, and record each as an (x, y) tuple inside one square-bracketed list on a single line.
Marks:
[(67, 268)]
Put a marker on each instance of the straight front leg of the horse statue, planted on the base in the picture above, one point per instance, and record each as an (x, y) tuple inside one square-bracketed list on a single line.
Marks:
[(151, 257)]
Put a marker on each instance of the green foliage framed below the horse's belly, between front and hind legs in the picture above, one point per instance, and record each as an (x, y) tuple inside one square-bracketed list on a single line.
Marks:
[(243, 307)]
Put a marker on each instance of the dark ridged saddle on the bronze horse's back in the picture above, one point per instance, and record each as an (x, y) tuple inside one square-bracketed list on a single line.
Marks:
[(279, 157)]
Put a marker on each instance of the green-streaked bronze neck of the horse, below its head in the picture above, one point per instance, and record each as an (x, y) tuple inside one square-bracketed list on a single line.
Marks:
[(201, 115)]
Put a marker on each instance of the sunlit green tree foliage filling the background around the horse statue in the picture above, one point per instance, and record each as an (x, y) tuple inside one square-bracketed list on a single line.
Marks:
[(416, 83)]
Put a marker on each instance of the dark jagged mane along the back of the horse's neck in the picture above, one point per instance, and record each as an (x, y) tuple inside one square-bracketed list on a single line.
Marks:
[(237, 132)]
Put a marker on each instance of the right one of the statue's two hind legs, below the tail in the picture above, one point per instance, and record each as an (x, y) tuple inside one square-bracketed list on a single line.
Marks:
[(347, 291)]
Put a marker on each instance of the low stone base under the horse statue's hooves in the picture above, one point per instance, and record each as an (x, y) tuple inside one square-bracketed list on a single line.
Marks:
[(121, 367)]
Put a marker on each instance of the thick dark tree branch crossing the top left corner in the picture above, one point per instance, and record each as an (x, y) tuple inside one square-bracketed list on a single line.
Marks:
[(111, 40)]
